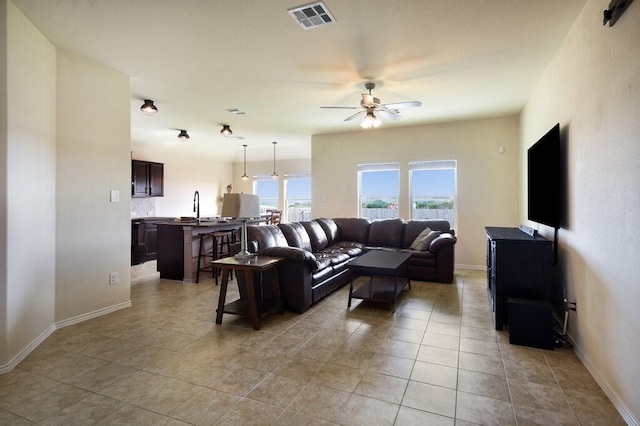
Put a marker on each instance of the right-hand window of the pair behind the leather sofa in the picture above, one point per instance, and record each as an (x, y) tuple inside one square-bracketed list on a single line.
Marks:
[(433, 189)]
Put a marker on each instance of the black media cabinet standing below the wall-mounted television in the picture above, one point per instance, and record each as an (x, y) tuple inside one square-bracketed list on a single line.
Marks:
[(518, 266)]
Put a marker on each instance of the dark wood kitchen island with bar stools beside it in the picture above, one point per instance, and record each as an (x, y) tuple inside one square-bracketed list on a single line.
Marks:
[(178, 245)]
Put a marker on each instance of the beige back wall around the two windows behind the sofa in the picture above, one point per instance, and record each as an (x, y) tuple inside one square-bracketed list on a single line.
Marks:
[(487, 181)]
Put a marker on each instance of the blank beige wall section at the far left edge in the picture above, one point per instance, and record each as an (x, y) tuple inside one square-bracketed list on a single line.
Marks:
[(28, 187)]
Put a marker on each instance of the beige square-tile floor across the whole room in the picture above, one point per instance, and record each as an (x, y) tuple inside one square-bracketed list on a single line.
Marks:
[(437, 361)]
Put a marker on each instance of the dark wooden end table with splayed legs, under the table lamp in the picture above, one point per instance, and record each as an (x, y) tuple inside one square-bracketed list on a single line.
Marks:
[(250, 307)]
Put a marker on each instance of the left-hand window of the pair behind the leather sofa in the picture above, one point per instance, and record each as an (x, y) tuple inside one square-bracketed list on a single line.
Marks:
[(378, 188)]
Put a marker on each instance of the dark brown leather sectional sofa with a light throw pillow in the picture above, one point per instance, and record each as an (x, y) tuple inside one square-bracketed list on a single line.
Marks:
[(318, 251)]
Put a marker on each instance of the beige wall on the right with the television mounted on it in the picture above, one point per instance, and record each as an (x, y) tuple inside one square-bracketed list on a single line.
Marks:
[(592, 87)]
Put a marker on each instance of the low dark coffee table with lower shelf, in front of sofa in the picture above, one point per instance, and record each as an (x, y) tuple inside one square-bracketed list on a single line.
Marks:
[(383, 269)]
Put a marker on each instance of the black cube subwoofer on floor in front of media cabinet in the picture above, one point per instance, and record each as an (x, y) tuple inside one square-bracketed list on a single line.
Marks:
[(530, 323)]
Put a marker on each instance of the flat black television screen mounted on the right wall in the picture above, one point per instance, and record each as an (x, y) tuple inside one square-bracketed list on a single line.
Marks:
[(544, 186)]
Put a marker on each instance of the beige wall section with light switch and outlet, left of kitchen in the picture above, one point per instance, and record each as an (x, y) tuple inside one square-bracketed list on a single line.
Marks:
[(93, 234)]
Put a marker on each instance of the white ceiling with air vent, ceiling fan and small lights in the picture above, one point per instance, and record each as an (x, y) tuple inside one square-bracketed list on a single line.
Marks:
[(196, 58)]
